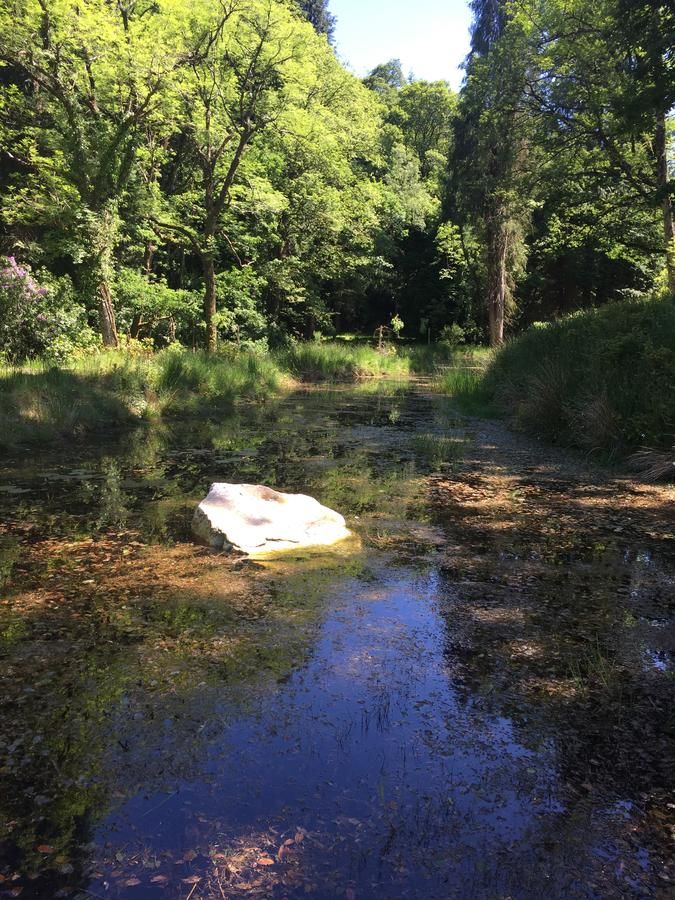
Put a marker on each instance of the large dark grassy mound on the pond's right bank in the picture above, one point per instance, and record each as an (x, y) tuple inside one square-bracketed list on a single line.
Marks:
[(600, 379)]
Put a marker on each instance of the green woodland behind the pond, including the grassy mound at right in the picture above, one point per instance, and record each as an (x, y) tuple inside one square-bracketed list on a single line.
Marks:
[(211, 175)]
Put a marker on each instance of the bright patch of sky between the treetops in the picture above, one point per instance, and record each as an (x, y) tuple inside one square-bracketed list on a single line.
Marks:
[(430, 37)]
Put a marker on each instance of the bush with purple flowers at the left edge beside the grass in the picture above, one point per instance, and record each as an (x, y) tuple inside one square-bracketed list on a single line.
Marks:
[(38, 320)]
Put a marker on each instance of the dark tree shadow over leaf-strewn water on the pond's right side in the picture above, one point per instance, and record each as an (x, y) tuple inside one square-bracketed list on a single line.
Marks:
[(560, 615)]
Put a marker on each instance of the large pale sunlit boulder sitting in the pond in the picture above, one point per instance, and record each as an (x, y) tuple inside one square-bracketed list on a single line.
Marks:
[(254, 519)]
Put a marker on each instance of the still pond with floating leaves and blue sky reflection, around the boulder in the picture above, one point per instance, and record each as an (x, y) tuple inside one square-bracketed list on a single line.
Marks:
[(464, 700)]
